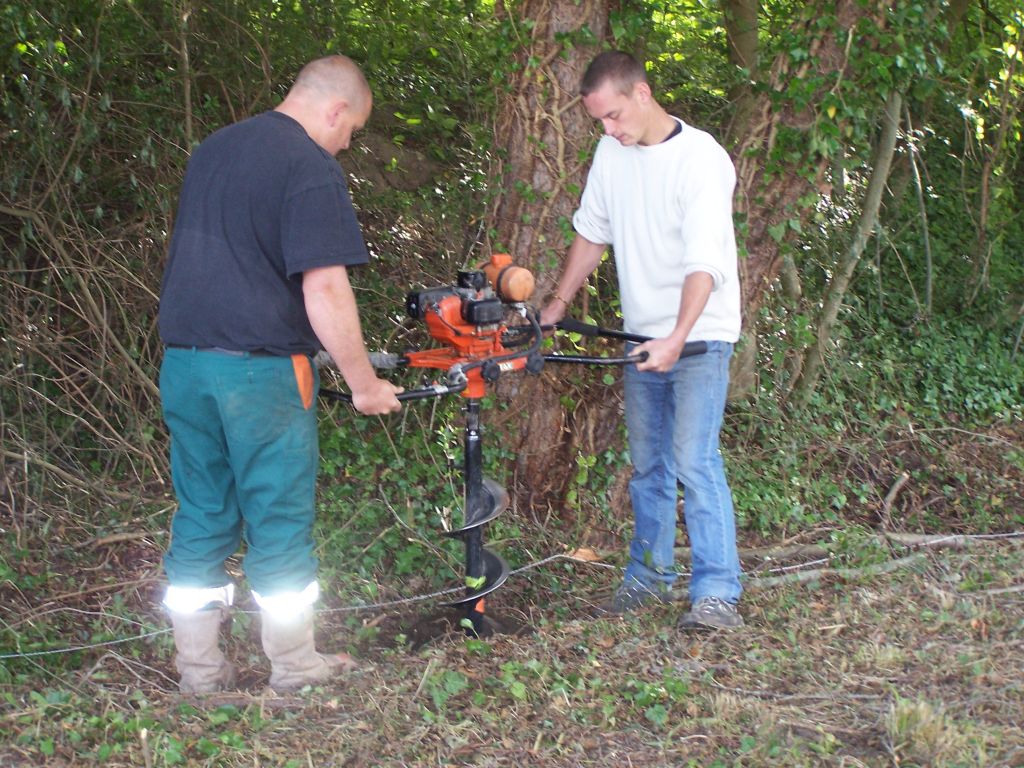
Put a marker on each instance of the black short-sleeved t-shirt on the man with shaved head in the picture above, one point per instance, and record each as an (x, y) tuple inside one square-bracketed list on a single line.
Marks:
[(262, 204)]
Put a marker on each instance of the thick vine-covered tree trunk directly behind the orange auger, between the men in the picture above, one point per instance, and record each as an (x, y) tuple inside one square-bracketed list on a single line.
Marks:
[(547, 141)]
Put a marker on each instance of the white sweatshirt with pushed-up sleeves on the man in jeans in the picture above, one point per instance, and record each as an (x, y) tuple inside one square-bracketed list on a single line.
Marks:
[(667, 212)]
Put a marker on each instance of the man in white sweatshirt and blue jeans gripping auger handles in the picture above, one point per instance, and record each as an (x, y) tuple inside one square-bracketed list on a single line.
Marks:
[(660, 194)]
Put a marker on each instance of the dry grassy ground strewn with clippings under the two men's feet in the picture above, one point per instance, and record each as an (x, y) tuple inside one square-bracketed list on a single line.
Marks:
[(921, 667)]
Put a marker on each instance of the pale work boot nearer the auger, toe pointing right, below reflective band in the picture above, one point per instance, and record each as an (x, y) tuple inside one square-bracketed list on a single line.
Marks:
[(294, 660)]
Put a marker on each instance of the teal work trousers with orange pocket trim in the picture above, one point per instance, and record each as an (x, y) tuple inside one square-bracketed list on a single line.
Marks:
[(244, 459)]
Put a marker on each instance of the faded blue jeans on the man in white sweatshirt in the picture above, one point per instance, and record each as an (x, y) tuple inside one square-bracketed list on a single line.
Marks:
[(674, 419)]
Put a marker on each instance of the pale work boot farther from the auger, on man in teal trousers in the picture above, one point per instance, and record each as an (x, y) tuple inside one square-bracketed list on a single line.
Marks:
[(200, 662)]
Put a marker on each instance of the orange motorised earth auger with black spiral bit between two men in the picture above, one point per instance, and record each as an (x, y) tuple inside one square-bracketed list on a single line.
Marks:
[(470, 320)]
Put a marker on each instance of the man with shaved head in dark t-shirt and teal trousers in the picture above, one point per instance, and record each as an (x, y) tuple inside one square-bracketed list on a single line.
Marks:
[(257, 283)]
